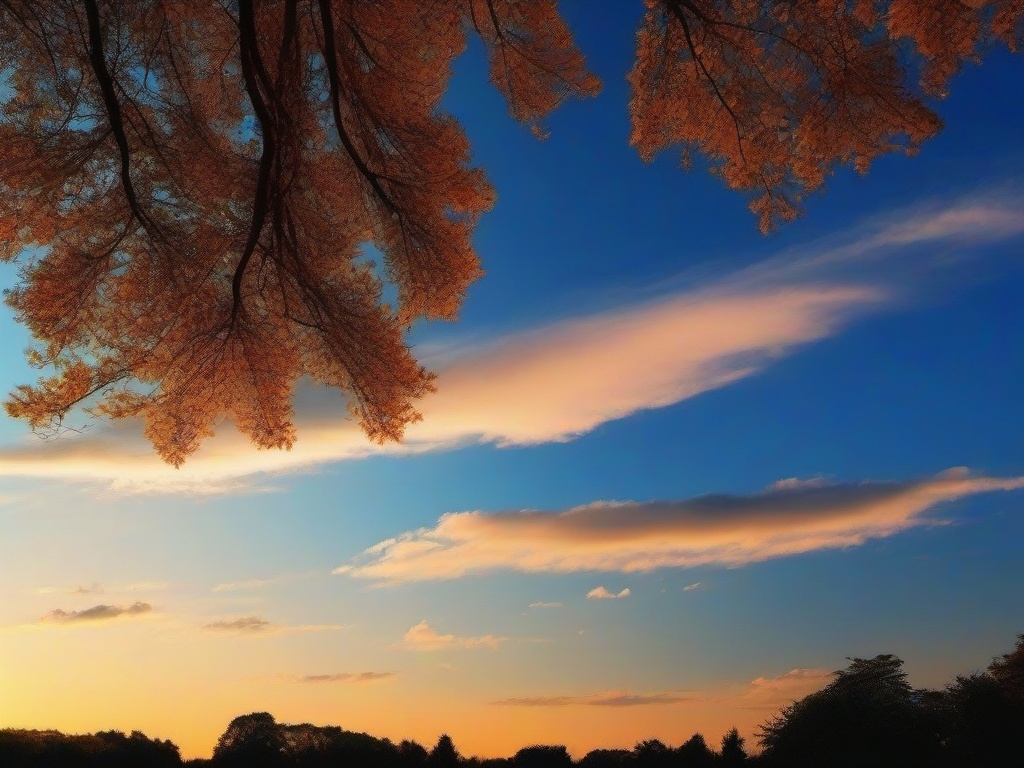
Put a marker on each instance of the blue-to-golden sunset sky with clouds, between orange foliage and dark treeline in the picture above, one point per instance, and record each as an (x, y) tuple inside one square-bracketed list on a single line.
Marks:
[(674, 475)]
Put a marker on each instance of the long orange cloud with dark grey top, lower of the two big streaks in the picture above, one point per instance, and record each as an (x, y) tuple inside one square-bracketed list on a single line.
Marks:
[(629, 537)]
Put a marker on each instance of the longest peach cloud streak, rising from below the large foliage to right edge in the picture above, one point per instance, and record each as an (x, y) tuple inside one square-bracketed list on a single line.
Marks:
[(558, 381)]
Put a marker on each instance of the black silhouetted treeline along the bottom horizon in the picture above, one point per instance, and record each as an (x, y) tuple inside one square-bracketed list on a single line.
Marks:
[(868, 716)]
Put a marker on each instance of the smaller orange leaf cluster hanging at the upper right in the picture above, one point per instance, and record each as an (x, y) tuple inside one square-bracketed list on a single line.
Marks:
[(777, 94)]
